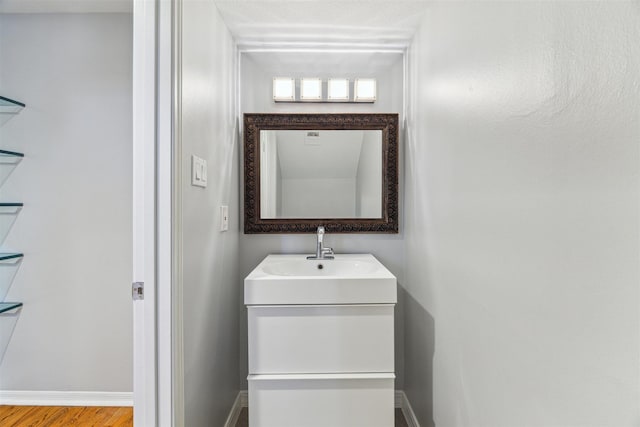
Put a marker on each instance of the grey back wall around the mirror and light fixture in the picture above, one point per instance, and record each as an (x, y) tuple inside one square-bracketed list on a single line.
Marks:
[(257, 72)]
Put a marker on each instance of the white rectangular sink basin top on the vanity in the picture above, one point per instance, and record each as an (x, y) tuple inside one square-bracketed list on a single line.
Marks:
[(293, 279)]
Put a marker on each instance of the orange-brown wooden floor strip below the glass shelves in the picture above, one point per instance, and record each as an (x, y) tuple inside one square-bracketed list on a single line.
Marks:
[(50, 416)]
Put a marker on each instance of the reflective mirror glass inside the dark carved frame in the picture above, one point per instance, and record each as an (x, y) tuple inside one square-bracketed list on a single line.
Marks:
[(321, 174)]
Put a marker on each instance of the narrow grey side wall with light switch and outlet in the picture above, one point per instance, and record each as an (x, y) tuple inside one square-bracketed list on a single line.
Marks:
[(210, 280)]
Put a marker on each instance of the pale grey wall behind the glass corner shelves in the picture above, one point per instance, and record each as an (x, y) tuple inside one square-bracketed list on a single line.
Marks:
[(74, 332)]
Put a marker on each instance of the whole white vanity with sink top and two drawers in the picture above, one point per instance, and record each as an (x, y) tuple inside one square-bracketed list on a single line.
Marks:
[(321, 342)]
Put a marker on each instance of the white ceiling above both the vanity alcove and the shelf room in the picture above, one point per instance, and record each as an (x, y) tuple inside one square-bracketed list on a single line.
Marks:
[(291, 22)]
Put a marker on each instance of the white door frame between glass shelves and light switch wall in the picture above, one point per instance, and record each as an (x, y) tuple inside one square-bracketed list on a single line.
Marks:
[(153, 209)]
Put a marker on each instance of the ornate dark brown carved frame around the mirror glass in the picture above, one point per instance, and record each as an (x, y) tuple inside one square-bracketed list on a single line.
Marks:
[(256, 122)]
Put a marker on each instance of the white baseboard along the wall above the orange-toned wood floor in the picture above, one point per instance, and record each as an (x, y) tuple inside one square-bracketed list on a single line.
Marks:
[(66, 398)]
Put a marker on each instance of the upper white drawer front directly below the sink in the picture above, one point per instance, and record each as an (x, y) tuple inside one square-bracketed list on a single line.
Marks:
[(320, 339)]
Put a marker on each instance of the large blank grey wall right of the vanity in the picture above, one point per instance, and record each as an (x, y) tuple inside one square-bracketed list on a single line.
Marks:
[(522, 208)]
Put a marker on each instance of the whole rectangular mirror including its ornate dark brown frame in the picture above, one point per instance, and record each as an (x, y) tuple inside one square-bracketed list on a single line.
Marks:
[(335, 170)]
